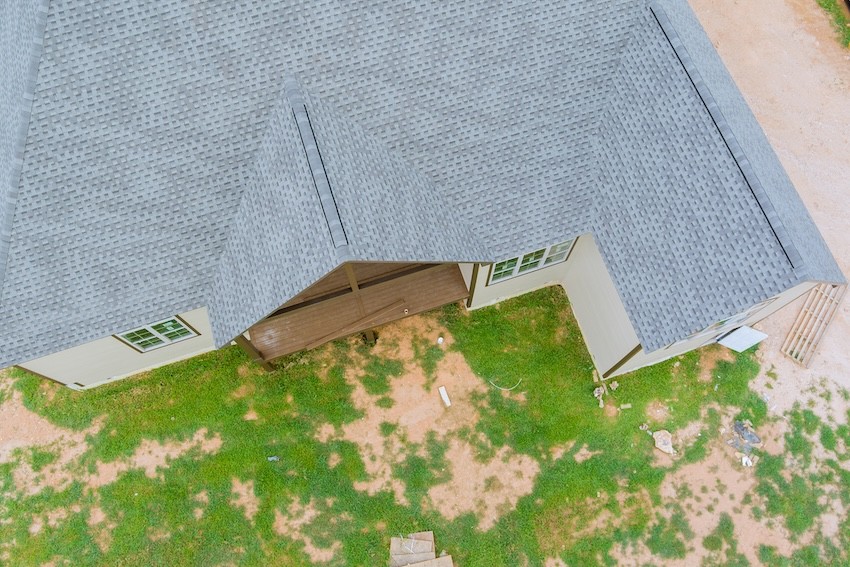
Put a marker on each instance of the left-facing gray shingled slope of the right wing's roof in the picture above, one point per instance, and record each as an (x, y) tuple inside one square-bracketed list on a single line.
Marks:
[(683, 237)]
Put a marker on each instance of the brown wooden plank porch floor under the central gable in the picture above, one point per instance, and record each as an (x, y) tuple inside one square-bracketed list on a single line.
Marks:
[(323, 317)]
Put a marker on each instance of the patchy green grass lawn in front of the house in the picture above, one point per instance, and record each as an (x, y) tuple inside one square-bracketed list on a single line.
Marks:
[(533, 338)]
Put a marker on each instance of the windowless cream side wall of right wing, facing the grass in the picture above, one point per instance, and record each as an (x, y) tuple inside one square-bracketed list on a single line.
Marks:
[(602, 318)]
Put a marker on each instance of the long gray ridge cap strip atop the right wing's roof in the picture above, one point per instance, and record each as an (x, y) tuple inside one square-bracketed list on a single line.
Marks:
[(736, 151)]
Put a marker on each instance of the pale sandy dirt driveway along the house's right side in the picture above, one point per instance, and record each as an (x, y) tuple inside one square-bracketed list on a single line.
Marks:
[(786, 59)]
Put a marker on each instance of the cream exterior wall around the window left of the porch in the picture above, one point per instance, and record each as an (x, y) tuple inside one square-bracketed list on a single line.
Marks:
[(108, 359)]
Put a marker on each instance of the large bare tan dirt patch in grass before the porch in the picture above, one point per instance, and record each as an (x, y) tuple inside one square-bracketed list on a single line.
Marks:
[(489, 487)]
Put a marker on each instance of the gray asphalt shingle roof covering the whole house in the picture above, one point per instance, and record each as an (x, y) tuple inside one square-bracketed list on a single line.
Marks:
[(164, 169)]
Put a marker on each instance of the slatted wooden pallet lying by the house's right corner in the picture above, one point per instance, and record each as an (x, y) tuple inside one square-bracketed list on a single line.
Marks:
[(811, 324)]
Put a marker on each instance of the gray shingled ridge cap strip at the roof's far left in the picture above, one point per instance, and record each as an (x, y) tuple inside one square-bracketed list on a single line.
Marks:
[(14, 180)]
